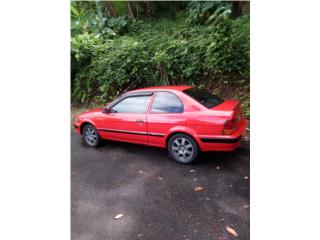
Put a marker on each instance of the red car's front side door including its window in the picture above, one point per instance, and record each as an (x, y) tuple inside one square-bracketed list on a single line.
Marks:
[(126, 119)]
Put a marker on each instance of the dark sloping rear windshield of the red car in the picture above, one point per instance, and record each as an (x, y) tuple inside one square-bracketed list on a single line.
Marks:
[(204, 97)]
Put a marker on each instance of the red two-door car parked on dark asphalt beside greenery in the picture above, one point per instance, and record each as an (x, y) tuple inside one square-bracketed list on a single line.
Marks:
[(182, 119)]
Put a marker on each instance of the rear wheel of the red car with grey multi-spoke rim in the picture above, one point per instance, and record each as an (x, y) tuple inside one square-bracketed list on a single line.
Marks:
[(183, 148)]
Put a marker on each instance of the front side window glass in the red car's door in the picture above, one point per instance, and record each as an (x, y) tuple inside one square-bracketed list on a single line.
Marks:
[(137, 104)]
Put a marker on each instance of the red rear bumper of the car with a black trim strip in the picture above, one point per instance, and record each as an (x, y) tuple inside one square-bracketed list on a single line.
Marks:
[(223, 142)]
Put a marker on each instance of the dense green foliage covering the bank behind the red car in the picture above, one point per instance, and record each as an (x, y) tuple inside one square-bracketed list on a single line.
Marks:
[(202, 44)]
